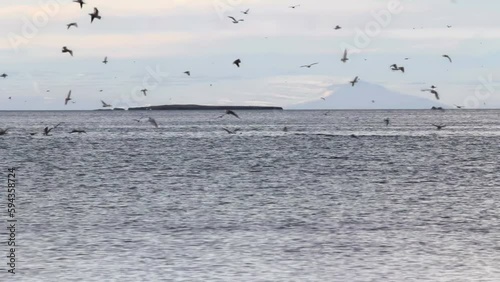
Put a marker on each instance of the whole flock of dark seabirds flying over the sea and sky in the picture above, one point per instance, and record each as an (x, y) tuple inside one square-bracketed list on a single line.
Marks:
[(96, 15)]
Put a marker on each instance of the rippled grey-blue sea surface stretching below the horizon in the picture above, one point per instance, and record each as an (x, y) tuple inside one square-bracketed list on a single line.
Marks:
[(189, 202)]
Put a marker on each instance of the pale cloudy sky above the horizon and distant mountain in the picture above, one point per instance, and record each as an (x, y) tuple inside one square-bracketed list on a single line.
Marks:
[(150, 43)]
